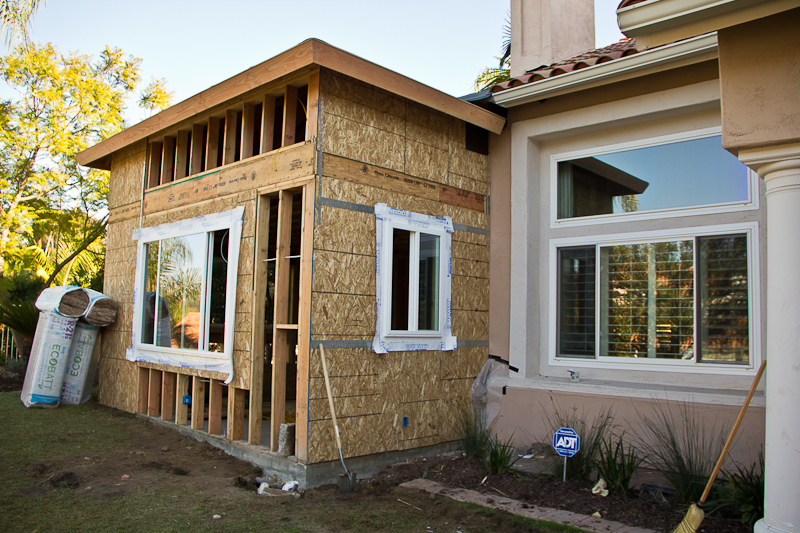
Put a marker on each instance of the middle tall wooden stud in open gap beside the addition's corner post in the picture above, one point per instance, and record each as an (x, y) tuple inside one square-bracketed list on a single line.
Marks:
[(281, 316)]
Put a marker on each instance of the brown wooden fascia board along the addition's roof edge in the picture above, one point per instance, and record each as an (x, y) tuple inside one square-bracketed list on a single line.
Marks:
[(309, 53)]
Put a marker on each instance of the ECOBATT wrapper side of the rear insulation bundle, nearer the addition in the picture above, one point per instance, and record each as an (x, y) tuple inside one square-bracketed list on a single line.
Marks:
[(81, 365)]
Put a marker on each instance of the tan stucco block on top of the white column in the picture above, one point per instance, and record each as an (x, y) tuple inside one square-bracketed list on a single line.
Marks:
[(760, 80)]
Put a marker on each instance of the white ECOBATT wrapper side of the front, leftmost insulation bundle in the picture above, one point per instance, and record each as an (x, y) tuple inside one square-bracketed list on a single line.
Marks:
[(45, 374)]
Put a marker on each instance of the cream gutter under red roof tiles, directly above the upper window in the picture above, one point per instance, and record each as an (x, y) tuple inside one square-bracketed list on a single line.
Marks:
[(675, 55)]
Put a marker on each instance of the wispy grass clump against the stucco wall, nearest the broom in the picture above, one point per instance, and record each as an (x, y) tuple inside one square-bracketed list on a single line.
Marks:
[(680, 447)]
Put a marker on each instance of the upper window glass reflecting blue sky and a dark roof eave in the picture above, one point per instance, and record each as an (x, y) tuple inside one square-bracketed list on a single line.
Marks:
[(660, 177)]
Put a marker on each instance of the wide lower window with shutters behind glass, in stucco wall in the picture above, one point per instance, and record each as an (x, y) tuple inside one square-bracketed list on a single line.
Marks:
[(684, 300)]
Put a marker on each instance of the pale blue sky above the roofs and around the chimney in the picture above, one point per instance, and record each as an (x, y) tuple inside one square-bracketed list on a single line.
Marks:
[(195, 44)]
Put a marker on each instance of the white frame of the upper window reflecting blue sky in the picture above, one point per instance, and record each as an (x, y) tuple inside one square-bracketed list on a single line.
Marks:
[(706, 209)]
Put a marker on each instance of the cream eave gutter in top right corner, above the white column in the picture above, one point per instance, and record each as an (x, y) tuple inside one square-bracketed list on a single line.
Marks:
[(658, 22)]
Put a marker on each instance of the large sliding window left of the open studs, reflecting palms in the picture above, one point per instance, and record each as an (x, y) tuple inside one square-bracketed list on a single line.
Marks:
[(185, 290)]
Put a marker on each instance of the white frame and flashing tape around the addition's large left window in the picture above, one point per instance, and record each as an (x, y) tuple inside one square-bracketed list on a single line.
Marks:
[(181, 357)]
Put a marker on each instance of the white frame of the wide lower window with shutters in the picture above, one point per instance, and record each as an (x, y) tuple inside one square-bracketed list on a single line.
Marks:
[(754, 307)]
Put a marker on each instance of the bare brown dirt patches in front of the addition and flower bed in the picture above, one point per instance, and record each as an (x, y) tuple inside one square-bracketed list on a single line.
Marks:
[(159, 457)]
